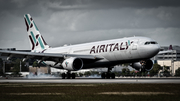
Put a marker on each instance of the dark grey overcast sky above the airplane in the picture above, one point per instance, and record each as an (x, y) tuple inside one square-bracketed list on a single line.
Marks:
[(78, 21)]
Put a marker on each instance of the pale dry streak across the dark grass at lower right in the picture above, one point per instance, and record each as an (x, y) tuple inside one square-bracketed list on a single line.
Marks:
[(135, 93)]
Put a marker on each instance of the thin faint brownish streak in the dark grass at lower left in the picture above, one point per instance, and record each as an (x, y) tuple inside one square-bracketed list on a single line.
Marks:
[(34, 93)]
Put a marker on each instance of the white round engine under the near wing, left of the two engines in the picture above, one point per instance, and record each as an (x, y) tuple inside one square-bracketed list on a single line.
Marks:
[(72, 64)]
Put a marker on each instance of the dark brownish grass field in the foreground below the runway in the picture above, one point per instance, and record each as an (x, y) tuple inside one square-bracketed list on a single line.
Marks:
[(89, 92)]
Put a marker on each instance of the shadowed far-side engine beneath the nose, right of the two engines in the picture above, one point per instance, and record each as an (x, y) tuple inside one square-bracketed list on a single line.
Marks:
[(147, 67)]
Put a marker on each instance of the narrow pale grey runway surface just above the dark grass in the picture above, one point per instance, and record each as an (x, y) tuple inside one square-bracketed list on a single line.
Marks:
[(92, 81)]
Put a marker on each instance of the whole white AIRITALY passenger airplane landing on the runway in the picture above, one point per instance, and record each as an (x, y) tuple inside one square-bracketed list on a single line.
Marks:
[(101, 54)]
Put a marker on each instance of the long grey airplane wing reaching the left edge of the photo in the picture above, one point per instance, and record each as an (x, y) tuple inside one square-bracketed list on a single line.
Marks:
[(46, 56)]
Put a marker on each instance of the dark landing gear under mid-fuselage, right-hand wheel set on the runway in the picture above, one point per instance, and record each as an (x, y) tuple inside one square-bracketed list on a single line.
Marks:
[(108, 74)]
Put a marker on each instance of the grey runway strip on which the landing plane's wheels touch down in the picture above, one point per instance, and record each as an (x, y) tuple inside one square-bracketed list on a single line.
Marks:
[(92, 80)]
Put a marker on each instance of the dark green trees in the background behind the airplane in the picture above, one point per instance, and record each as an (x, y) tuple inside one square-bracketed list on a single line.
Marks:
[(14, 66)]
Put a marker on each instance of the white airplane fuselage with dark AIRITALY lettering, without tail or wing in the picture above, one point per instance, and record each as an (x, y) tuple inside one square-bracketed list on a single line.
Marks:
[(117, 51)]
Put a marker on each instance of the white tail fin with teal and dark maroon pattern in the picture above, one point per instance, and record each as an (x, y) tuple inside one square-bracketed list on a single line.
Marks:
[(36, 40)]
